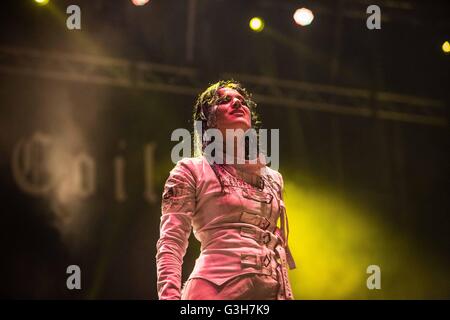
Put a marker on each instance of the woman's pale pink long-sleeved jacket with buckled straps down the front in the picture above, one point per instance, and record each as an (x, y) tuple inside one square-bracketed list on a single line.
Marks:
[(233, 214)]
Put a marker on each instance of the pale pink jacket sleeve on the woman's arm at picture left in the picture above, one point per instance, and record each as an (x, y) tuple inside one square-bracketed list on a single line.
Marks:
[(177, 208)]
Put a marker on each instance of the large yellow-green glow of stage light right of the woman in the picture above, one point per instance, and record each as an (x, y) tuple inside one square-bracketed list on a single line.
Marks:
[(335, 237)]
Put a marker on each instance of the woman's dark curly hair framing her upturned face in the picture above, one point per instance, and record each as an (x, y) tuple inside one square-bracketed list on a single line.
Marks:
[(203, 108)]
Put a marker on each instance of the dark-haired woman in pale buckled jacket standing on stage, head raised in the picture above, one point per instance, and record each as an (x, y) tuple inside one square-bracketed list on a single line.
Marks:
[(233, 209)]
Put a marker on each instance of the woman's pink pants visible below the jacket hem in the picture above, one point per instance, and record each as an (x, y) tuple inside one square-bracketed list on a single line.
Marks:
[(244, 287)]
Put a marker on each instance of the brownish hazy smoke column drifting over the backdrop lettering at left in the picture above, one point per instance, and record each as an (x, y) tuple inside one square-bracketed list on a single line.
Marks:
[(69, 123)]
